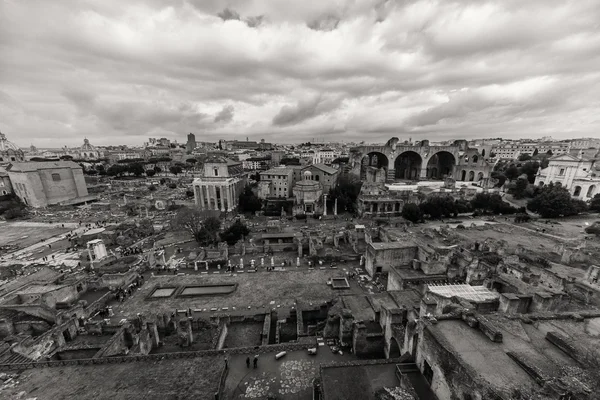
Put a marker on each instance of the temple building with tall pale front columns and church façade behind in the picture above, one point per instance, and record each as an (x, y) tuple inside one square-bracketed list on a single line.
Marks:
[(221, 184)]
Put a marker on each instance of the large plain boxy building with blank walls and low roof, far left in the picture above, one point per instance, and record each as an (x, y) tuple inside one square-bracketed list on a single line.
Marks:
[(40, 184)]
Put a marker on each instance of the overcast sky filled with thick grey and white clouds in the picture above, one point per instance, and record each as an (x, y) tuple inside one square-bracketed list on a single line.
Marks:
[(120, 71)]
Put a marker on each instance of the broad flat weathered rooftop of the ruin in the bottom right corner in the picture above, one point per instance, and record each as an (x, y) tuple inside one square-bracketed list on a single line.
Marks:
[(489, 362)]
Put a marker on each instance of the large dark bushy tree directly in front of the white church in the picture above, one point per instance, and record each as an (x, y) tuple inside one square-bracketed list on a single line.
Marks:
[(555, 201)]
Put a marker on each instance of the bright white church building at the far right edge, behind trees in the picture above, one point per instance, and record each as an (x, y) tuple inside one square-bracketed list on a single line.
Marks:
[(581, 176)]
